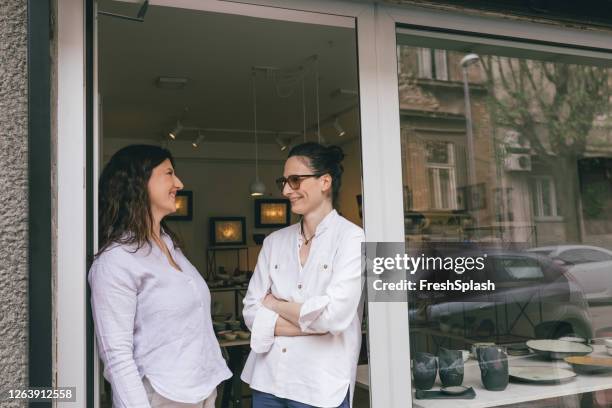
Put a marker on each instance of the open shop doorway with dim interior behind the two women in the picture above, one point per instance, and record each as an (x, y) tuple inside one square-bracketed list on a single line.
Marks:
[(229, 90)]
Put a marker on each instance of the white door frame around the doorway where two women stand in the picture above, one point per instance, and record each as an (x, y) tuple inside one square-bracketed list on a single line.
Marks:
[(382, 198)]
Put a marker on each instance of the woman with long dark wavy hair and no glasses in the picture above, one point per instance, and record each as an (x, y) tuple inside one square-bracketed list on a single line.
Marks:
[(151, 307)]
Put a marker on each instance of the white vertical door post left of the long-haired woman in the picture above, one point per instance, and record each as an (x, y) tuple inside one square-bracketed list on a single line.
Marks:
[(70, 284)]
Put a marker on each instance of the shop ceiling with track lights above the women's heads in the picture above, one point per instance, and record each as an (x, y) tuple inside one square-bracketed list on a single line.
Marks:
[(216, 53)]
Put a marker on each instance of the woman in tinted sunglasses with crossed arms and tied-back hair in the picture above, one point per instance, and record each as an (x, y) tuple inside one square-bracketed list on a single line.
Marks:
[(303, 305)]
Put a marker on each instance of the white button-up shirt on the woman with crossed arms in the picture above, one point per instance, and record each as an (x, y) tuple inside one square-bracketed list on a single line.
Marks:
[(319, 369)]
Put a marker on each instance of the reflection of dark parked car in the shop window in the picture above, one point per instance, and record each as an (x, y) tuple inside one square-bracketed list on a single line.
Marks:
[(535, 297)]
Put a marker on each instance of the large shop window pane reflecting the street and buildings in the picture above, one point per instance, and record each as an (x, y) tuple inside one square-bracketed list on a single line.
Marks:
[(538, 191)]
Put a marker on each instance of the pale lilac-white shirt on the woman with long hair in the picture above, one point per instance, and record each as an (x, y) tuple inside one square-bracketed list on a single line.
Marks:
[(152, 319)]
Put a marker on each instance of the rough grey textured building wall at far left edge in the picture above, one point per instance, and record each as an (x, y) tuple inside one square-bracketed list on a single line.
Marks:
[(14, 199)]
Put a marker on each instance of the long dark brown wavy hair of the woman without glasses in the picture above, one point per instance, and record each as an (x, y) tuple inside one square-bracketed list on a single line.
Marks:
[(124, 207)]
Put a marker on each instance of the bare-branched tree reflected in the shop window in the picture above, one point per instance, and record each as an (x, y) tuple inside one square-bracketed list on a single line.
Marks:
[(553, 106)]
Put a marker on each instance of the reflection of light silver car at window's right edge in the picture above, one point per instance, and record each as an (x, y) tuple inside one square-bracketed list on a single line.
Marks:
[(590, 265)]
